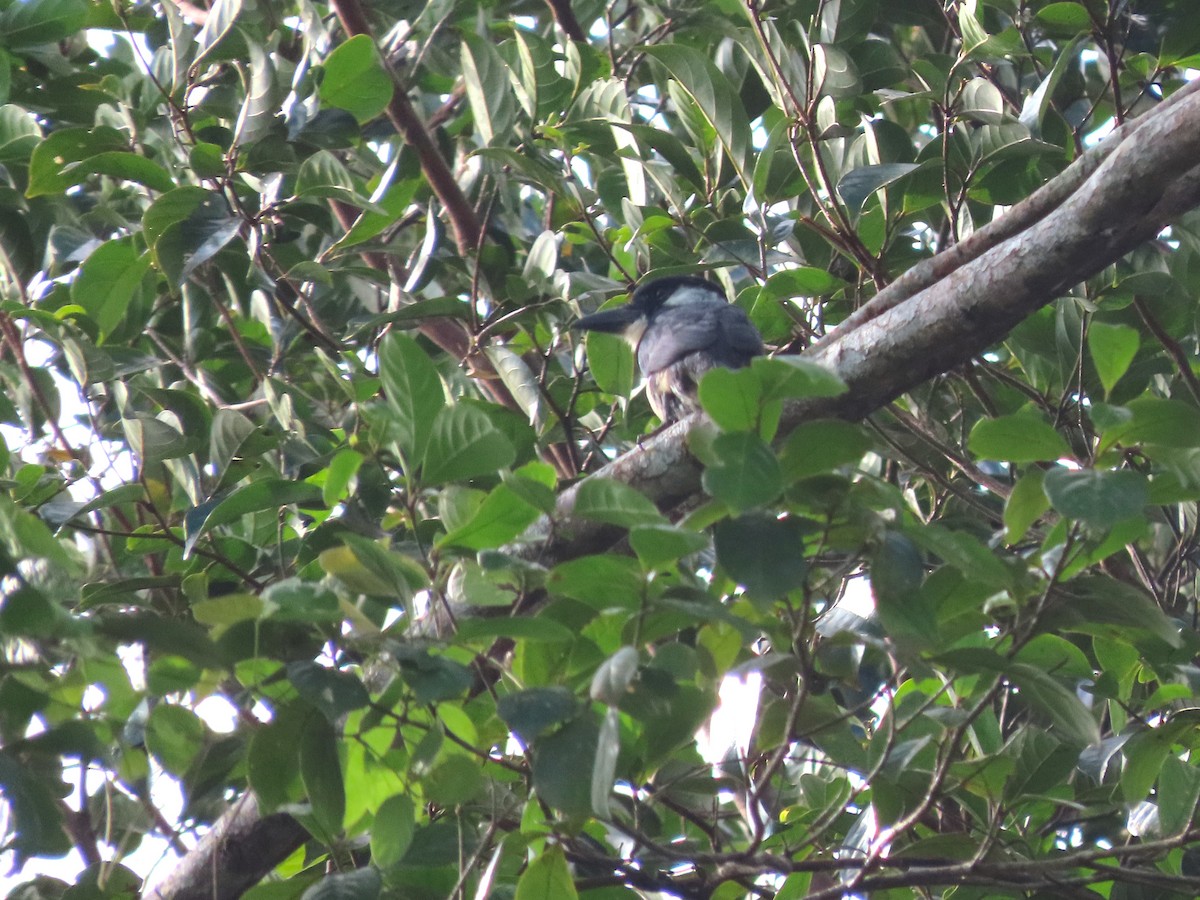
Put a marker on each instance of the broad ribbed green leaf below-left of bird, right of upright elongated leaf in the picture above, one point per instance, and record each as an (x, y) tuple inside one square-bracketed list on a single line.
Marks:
[(465, 445)]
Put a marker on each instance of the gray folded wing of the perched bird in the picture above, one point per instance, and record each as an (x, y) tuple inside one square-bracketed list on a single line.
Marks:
[(721, 329)]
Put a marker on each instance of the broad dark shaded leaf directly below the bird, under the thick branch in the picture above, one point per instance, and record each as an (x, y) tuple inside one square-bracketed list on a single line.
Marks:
[(763, 554)]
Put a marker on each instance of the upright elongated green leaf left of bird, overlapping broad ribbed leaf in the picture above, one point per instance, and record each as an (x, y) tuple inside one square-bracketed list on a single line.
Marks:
[(413, 389)]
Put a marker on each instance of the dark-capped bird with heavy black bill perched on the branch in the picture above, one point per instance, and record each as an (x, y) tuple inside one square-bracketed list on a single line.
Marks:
[(680, 327)]
